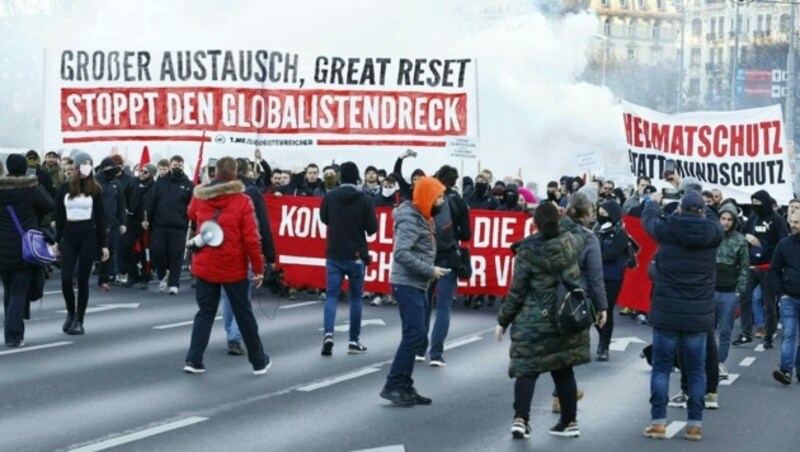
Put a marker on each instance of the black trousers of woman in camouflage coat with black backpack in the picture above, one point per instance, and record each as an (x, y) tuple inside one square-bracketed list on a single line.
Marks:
[(566, 390)]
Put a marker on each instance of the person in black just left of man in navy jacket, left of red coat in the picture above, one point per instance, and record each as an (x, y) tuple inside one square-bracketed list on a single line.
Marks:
[(134, 243)]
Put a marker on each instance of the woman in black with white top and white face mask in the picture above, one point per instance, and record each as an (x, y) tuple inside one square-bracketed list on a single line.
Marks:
[(83, 237)]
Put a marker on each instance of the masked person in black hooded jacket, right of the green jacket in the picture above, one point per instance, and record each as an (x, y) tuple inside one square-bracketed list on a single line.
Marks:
[(763, 230)]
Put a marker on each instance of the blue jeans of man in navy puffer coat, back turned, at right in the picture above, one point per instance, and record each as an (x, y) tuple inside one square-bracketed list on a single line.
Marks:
[(665, 346)]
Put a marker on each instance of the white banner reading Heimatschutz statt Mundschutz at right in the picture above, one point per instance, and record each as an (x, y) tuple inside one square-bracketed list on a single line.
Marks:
[(739, 152)]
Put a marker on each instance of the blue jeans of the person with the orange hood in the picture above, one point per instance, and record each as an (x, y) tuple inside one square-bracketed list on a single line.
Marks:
[(411, 302)]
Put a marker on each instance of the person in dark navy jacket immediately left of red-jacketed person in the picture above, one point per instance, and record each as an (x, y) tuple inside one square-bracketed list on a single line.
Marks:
[(167, 216)]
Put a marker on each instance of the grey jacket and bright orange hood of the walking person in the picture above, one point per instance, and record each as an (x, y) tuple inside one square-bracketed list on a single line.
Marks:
[(414, 237)]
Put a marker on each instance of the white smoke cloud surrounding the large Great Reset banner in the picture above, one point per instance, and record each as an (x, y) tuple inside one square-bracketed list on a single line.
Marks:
[(534, 116)]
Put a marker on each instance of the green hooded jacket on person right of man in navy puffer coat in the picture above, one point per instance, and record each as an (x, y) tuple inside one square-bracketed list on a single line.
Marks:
[(733, 257)]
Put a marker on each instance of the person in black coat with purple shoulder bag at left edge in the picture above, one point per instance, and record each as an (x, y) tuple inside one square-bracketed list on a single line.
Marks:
[(29, 201)]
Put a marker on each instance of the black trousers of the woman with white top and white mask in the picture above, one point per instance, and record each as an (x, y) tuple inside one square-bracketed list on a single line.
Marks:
[(80, 247)]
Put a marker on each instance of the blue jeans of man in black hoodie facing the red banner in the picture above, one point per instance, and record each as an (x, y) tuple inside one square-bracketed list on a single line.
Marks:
[(336, 270)]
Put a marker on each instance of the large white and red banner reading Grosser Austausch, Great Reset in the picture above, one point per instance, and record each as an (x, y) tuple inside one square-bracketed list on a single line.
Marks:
[(255, 97)]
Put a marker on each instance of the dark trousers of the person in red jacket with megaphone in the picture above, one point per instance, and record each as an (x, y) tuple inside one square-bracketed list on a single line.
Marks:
[(208, 301)]
